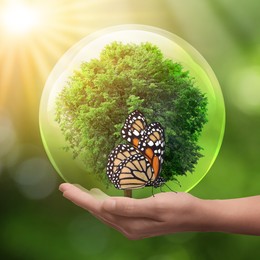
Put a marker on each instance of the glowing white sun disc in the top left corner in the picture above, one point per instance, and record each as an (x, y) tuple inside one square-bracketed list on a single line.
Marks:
[(20, 19)]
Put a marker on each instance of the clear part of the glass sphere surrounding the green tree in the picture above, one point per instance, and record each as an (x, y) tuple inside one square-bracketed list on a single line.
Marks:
[(73, 170)]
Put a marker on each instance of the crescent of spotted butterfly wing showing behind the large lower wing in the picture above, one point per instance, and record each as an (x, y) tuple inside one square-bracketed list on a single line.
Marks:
[(119, 154)]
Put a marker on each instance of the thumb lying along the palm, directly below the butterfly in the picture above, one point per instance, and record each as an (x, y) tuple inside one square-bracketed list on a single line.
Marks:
[(131, 207)]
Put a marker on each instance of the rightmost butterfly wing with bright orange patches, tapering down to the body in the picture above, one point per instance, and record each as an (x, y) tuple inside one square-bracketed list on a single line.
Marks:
[(152, 145)]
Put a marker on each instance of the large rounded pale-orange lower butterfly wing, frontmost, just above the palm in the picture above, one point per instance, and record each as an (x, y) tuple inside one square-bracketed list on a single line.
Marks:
[(133, 173)]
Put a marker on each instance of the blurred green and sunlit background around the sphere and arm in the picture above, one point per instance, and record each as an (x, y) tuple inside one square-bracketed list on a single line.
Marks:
[(36, 222)]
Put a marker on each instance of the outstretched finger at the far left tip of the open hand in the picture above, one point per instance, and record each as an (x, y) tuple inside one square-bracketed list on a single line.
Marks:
[(81, 198)]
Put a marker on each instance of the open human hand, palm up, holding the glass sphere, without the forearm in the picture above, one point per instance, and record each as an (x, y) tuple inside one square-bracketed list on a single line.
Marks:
[(165, 213)]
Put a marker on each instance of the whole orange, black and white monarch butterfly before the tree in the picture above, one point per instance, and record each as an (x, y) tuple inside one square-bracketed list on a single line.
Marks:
[(139, 163)]
